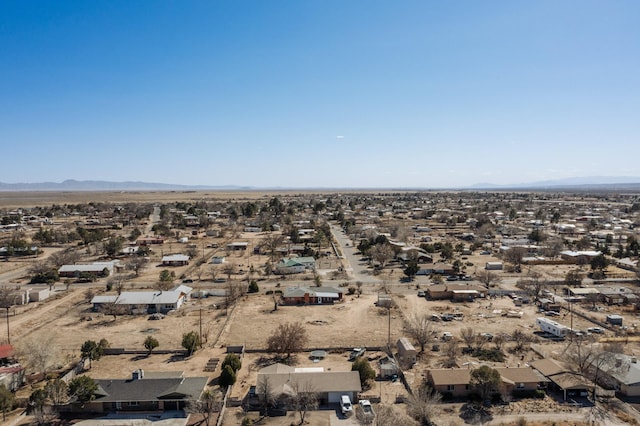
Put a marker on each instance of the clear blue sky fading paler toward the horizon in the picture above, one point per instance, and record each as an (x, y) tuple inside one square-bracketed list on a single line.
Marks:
[(319, 93)]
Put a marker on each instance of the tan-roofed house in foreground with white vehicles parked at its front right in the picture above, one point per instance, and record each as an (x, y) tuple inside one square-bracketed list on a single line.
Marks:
[(328, 385)]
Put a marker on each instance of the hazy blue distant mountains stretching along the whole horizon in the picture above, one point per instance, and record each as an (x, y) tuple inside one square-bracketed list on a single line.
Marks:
[(576, 183)]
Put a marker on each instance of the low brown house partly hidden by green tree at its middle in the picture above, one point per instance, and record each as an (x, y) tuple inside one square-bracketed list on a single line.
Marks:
[(457, 381)]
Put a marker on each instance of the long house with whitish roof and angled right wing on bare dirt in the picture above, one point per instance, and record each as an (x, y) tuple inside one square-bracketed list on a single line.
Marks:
[(145, 301)]
